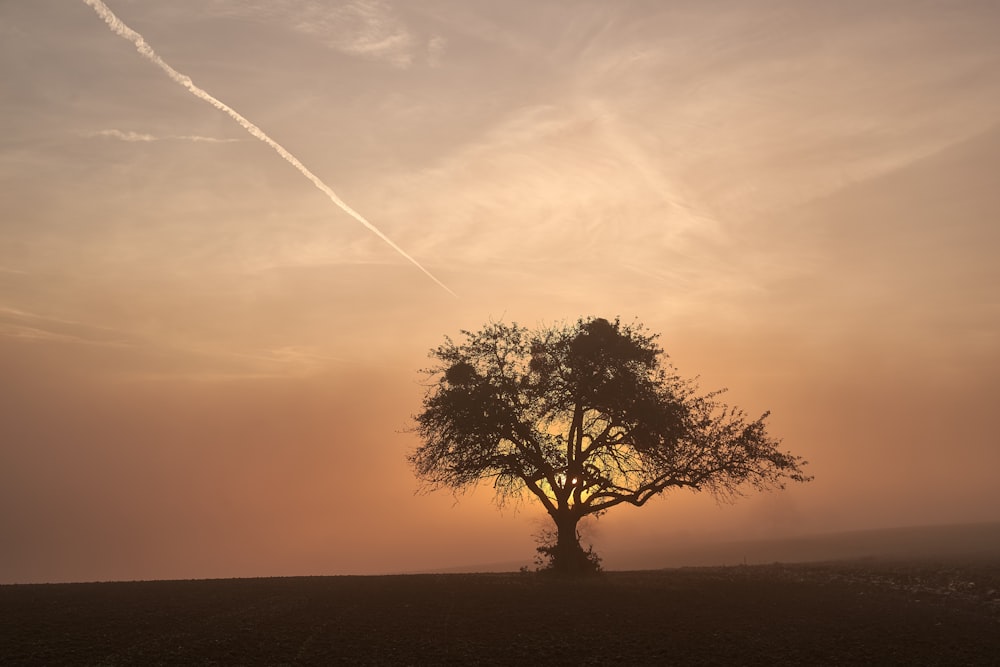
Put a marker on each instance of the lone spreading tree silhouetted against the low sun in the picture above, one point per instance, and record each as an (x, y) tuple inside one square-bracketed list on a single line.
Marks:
[(584, 417)]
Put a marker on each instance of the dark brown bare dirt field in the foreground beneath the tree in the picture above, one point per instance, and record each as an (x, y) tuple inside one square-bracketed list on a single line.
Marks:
[(841, 613)]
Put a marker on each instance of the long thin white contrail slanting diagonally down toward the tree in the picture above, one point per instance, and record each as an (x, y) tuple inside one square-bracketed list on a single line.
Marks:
[(122, 30)]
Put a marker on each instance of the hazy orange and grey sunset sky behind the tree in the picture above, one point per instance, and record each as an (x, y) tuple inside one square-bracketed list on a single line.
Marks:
[(208, 368)]
